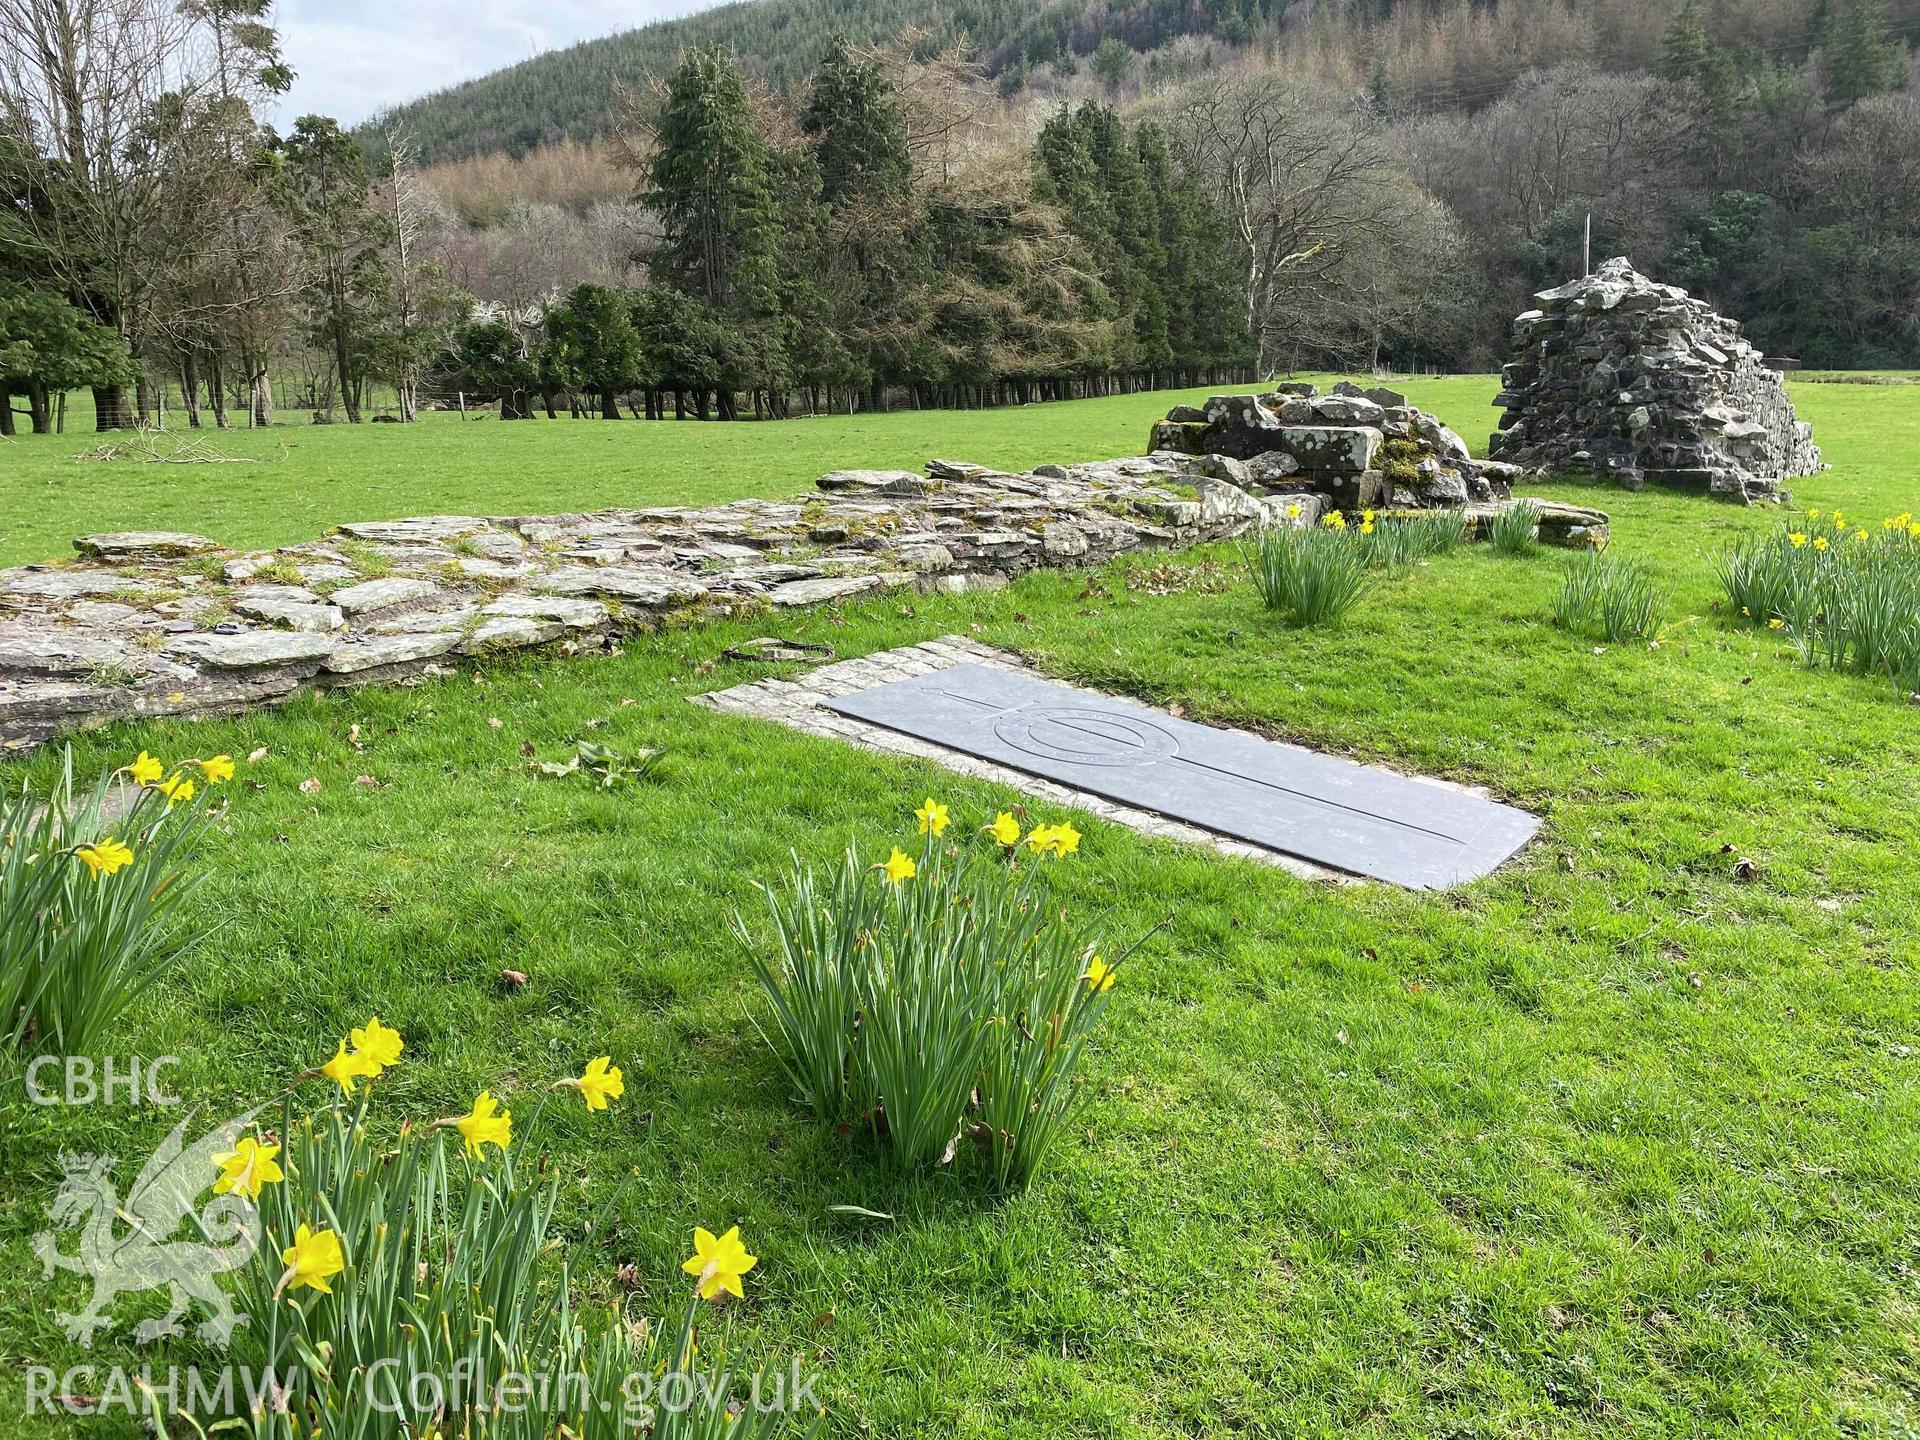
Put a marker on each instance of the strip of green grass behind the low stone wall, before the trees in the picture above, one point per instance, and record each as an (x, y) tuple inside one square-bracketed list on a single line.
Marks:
[(312, 477)]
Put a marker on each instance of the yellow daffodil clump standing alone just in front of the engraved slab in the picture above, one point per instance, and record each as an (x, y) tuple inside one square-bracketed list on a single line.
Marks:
[(938, 999)]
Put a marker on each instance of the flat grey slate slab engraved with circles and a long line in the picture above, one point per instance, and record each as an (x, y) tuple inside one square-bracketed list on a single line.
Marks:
[(1349, 817)]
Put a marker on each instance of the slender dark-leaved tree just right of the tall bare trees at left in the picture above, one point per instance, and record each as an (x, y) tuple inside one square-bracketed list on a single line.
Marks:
[(345, 241)]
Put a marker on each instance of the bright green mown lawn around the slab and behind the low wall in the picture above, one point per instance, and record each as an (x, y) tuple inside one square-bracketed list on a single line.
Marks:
[(1610, 1143)]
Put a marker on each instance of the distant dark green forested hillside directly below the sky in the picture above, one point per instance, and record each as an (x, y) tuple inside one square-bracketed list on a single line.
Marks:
[(569, 93)]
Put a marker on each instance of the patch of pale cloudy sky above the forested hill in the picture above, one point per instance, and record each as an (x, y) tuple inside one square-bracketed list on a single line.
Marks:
[(358, 57)]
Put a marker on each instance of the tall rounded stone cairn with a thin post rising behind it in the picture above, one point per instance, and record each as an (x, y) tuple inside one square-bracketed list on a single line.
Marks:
[(1625, 377)]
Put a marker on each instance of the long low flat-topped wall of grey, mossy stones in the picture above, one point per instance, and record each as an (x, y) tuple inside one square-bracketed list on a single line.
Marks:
[(155, 623)]
